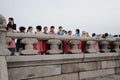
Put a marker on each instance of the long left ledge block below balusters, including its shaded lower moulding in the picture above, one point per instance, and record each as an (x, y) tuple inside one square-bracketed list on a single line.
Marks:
[(19, 61)]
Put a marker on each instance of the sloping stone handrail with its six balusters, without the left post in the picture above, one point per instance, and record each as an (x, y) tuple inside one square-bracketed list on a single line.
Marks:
[(55, 40)]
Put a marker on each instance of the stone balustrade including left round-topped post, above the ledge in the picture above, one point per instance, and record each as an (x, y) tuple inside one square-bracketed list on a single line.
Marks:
[(53, 41)]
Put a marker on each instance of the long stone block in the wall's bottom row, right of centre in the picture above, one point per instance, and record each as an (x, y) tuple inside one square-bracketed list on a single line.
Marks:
[(96, 73)]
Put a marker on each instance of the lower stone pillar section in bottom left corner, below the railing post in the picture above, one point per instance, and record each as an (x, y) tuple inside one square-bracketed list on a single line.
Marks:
[(3, 69)]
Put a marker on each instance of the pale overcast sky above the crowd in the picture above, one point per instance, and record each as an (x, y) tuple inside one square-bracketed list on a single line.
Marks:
[(97, 16)]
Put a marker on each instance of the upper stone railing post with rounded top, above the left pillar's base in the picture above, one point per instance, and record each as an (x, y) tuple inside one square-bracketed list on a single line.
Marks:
[(3, 44)]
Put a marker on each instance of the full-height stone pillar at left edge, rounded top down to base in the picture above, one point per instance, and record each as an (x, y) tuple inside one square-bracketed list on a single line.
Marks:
[(3, 49)]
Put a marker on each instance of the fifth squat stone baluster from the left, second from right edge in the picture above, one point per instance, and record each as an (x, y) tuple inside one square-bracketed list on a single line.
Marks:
[(104, 46)]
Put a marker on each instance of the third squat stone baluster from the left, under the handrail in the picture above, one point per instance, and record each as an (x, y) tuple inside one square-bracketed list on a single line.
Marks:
[(74, 46)]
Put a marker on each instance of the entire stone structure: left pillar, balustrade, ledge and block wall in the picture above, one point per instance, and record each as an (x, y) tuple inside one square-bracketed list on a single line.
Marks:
[(57, 67)]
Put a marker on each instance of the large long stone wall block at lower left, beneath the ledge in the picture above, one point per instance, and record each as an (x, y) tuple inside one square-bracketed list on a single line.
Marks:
[(33, 72)]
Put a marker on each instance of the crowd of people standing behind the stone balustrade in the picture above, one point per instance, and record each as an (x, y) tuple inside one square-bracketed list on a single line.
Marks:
[(42, 46)]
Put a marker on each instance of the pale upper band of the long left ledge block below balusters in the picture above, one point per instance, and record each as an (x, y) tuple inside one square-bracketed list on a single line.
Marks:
[(43, 57)]
